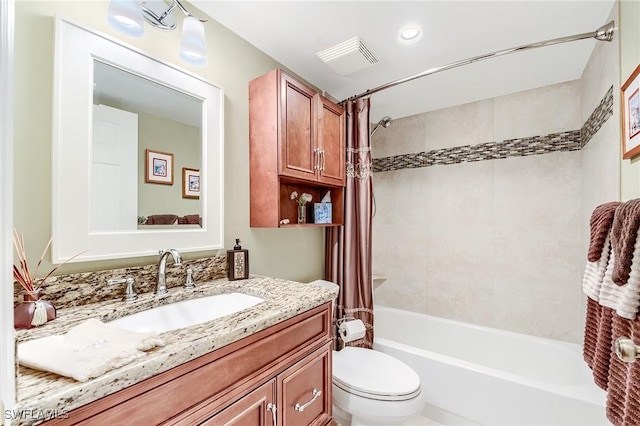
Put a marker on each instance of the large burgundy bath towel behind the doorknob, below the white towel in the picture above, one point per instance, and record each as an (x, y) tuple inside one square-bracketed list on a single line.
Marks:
[(623, 393)]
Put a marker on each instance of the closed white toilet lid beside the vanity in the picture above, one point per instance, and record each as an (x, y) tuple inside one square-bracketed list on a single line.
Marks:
[(374, 375)]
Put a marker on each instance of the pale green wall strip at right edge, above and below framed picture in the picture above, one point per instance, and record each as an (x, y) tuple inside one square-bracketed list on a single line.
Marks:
[(629, 26)]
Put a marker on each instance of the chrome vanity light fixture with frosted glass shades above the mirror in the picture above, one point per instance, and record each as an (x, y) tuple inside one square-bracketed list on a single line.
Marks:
[(127, 17)]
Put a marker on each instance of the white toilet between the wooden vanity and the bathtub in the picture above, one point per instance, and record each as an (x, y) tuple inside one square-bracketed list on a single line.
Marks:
[(371, 387)]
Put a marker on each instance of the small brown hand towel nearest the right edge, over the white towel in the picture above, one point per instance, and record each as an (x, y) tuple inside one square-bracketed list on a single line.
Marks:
[(624, 233)]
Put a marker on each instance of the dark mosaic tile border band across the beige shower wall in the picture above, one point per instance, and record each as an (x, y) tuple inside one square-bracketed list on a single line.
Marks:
[(573, 140)]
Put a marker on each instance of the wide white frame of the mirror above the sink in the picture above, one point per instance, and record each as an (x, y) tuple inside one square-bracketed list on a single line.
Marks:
[(76, 47)]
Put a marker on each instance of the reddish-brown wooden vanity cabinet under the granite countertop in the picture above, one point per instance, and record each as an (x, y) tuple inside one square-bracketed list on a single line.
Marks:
[(238, 384)]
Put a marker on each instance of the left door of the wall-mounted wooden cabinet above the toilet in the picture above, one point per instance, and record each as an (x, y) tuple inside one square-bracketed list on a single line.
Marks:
[(297, 153)]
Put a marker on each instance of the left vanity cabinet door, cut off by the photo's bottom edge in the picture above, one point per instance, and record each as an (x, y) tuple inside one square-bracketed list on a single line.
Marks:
[(254, 409)]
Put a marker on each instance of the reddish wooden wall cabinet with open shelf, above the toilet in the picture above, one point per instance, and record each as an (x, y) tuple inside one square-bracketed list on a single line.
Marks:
[(297, 143)]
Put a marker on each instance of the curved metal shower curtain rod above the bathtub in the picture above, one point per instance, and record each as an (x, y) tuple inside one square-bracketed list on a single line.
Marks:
[(604, 33)]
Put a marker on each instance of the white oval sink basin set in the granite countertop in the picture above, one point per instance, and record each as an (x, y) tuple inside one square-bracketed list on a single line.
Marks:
[(186, 313)]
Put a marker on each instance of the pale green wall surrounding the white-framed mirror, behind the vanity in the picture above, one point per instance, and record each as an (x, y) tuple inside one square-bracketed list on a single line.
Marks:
[(293, 253)]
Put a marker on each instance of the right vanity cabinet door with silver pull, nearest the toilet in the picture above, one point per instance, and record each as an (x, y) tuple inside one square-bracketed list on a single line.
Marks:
[(304, 390)]
